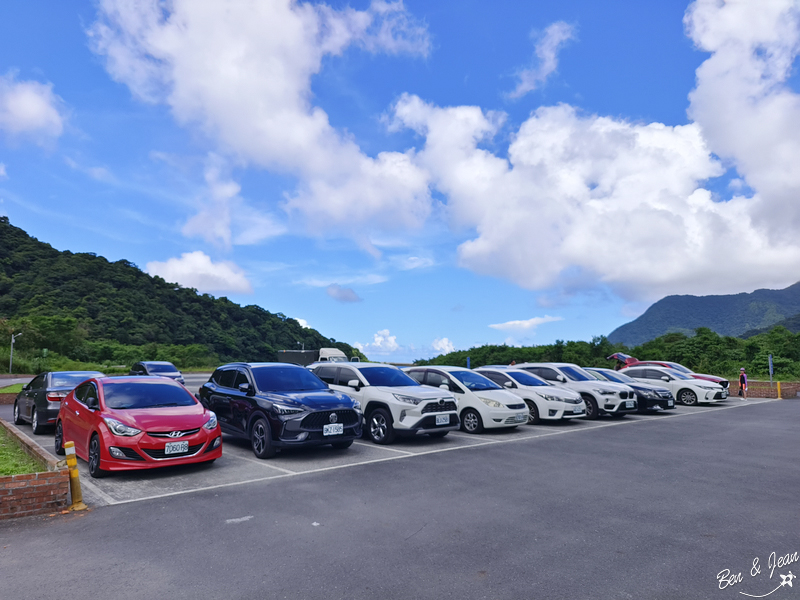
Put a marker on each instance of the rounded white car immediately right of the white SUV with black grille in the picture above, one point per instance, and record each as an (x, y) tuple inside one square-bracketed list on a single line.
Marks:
[(481, 401)]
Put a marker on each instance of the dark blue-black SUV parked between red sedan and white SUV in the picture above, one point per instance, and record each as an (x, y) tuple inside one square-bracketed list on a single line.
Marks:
[(278, 405)]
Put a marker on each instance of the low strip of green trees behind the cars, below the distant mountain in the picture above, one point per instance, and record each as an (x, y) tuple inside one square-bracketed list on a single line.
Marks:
[(704, 352)]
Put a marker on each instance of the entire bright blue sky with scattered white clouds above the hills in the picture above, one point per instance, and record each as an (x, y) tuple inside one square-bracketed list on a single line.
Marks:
[(412, 177)]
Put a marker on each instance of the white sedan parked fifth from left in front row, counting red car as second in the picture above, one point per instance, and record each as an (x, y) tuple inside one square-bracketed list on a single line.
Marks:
[(544, 401)]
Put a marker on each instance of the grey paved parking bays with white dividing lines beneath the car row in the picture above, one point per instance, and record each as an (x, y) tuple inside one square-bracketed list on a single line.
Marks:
[(239, 466)]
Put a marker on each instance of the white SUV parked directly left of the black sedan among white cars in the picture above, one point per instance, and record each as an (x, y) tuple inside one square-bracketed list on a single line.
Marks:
[(601, 397)]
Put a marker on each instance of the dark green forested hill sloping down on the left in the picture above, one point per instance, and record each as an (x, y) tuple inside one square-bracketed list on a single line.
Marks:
[(82, 306)]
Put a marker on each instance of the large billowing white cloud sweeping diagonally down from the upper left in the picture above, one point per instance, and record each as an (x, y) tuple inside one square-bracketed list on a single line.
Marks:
[(242, 71)]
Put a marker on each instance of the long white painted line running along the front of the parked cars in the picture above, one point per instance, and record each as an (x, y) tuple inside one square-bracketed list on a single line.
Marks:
[(439, 450)]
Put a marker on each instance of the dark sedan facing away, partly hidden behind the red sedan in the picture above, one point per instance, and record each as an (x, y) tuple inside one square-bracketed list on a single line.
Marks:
[(39, 401)]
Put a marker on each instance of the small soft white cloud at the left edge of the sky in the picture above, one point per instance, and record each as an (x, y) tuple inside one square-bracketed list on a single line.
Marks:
[(29, 109)]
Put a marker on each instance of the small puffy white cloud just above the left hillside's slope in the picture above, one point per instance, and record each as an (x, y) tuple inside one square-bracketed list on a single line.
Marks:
[(197, 270)]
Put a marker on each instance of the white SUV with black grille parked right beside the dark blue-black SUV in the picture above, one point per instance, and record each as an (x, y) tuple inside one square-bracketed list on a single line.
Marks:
[(392, 402)]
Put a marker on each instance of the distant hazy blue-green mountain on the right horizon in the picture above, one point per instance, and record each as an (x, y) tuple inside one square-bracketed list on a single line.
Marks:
[(730, 315)]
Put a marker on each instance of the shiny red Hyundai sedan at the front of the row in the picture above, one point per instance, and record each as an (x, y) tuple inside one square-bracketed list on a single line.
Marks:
[(122, 423)]
